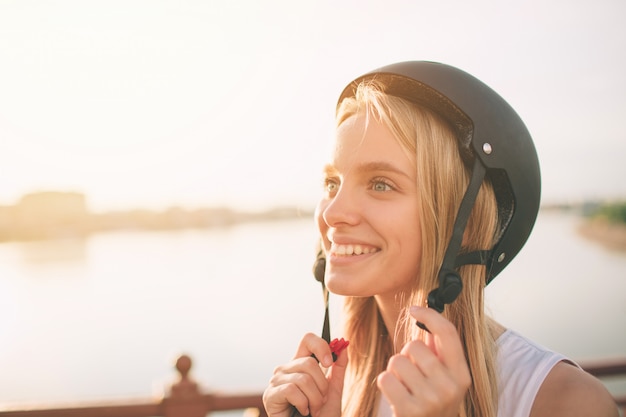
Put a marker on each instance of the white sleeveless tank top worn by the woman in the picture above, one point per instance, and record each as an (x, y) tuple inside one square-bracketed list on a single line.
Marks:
[(522, 366)]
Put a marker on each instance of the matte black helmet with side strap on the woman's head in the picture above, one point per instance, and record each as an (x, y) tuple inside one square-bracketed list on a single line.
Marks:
[(493, 141)]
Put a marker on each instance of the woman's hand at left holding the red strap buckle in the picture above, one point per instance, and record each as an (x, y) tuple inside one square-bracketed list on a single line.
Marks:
[(305, 384)]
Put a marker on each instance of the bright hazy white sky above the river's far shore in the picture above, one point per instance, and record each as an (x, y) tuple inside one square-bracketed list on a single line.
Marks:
[(159, 103)]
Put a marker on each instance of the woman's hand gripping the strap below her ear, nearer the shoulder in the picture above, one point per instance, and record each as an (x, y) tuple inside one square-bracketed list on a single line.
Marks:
[(427, 378)]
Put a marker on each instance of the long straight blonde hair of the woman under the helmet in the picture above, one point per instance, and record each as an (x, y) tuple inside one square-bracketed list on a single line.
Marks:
[(441, 180)]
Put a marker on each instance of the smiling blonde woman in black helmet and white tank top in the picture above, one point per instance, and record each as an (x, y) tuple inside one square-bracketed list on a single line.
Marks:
[(432, 189)]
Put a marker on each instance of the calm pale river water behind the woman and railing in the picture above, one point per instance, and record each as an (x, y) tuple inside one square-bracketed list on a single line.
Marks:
[(105, 318)]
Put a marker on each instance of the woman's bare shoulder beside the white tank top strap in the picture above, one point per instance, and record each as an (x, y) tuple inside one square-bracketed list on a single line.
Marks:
[(570, 391)]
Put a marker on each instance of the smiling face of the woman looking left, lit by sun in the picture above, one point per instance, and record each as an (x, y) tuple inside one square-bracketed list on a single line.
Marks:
[(368, 217)]
